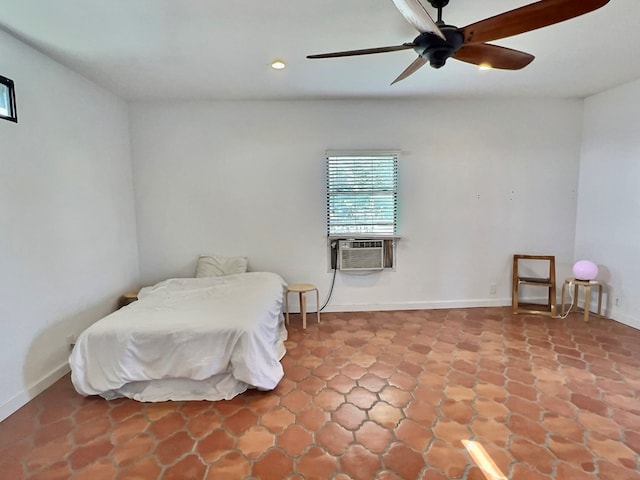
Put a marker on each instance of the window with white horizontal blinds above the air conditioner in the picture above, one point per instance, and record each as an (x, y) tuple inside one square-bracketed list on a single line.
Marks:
[(362, 192)]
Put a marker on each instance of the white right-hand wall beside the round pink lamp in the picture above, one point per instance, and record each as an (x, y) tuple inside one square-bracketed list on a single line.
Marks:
[(607, 227)]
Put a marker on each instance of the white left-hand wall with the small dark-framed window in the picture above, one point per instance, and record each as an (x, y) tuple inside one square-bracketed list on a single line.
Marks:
[(67, 225)]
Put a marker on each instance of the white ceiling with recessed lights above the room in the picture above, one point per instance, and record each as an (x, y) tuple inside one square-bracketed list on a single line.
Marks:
[(214, 49)]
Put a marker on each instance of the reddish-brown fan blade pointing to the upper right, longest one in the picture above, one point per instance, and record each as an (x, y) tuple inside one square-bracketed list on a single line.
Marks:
[(530, 17)]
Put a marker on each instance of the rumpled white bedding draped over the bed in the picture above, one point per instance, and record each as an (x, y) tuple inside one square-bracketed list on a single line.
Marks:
[(187, 339)]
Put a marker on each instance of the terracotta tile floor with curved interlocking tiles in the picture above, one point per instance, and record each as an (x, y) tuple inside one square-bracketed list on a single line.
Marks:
[(384, 395)]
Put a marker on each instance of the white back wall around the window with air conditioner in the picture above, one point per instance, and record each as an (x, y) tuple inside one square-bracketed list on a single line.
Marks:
[(479, 181)]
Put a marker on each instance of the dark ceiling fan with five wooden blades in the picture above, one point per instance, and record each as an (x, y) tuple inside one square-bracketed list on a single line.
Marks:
[(438, 41)]
